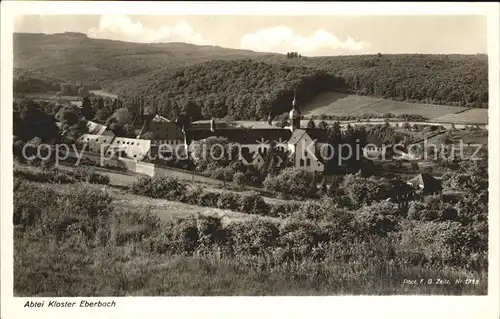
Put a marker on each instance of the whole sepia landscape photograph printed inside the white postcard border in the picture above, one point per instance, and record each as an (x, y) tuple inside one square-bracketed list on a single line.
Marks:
[(234, 155)]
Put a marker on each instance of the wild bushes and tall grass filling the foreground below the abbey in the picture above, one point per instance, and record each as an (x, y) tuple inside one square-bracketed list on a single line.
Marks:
[(80, 244)]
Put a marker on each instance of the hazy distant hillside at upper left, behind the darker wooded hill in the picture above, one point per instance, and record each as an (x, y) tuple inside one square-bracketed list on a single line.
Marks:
[(75, 57)]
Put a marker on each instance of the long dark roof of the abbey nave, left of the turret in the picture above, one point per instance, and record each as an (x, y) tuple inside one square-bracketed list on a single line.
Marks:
[(241, 136)]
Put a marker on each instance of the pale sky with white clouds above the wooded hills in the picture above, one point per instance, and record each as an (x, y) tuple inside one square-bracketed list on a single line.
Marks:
[(308, 35)]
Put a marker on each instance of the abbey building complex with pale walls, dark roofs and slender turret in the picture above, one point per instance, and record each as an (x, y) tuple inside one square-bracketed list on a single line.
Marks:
[(303, 145)]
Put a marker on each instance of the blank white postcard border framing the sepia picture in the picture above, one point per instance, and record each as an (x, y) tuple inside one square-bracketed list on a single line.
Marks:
[(231, 307)]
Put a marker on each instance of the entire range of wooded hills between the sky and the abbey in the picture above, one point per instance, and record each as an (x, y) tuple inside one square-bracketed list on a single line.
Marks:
[(213, 81)]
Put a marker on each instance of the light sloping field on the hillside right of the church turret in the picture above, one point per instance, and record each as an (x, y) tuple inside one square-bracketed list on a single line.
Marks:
[(335, 103)]
